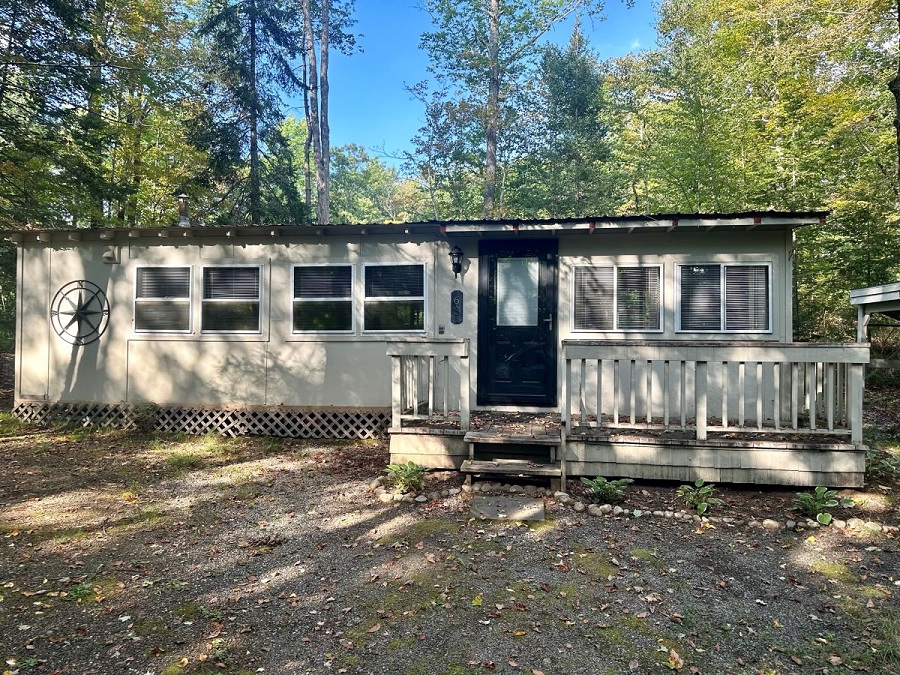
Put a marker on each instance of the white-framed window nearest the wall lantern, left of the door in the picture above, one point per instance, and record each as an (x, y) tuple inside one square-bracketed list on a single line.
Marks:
[(394, 298)]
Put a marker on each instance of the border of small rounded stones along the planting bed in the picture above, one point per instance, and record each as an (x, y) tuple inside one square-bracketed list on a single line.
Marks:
[(598, 510)]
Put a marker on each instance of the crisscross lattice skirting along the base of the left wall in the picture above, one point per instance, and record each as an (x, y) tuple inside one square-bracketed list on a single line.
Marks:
[(324, 423)]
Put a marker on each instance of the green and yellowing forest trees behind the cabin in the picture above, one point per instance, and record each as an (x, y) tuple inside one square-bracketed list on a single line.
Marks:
[(109, 109)]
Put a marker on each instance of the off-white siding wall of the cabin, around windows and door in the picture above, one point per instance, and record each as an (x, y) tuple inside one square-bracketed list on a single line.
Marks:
[(277, 367)]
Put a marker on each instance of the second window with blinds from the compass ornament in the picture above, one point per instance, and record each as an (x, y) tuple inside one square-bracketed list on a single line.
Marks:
[(231, 300)]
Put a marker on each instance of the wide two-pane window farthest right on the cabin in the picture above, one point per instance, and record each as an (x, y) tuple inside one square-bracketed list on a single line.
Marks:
[(724, 298)]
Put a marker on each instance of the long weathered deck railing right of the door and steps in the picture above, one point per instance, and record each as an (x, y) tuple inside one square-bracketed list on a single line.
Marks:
[(787, 388)]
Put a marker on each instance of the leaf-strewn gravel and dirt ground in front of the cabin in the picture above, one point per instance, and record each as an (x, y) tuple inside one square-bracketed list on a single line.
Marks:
[(123, 553)]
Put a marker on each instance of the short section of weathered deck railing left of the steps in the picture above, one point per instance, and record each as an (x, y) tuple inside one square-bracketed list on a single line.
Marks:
[(423, 372)]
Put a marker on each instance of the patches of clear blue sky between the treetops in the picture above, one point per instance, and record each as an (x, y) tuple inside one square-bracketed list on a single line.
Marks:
[(369, 105)]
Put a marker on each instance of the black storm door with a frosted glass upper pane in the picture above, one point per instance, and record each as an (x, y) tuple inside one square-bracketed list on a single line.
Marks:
[(517, 323)]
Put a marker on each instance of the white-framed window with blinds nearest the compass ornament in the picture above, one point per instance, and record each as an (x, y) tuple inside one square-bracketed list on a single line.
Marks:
[(162, 300)]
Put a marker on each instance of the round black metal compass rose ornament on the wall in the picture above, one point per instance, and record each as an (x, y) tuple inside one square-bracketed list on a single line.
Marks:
[(79, 312)]
